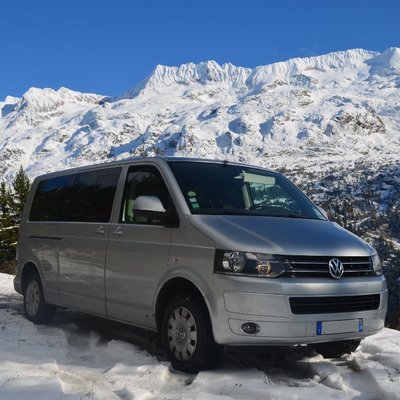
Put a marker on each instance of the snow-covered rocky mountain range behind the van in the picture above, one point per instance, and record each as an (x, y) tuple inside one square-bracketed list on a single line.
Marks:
[(318, 112)]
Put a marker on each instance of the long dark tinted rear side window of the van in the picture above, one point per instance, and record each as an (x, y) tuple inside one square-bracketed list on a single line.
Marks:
[(82, 197)]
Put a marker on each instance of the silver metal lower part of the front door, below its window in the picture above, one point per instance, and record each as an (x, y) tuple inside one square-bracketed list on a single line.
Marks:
[(137, 256)]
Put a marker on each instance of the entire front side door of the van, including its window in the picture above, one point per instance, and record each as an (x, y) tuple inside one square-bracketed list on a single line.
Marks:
[(138, 250)]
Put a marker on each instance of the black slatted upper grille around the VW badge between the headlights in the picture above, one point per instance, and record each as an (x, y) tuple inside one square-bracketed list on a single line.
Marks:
[(318, 266)]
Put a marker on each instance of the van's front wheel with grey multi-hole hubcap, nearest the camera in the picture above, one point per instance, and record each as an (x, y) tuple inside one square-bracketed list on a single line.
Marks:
[(187, 335)]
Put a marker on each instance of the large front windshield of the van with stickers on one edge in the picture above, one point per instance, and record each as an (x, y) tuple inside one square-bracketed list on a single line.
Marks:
[(228, 189)]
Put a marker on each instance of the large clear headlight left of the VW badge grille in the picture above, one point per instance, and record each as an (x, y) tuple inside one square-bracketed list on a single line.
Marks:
[(248, 264)]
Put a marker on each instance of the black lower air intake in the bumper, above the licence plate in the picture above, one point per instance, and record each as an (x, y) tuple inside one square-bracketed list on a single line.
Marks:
[(335, 304)]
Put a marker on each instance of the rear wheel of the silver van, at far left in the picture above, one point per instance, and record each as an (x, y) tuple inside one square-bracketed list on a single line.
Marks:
[(35, 307)]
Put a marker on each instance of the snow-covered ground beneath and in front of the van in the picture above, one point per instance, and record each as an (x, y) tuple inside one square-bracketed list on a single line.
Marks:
[(82, 357)]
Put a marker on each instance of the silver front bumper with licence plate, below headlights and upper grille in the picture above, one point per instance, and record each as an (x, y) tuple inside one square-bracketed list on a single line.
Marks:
[(266, 303)]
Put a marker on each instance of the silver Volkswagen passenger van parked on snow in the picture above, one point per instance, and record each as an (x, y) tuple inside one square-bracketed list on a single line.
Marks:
[(207, 253)]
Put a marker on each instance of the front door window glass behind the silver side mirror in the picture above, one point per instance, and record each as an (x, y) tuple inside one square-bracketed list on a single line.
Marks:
[(144, 181)]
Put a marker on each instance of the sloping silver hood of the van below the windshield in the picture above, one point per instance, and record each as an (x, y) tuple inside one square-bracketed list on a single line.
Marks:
[(278, 235)]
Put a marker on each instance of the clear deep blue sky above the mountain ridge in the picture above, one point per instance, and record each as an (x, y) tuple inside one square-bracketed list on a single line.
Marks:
[(107, 47)]
